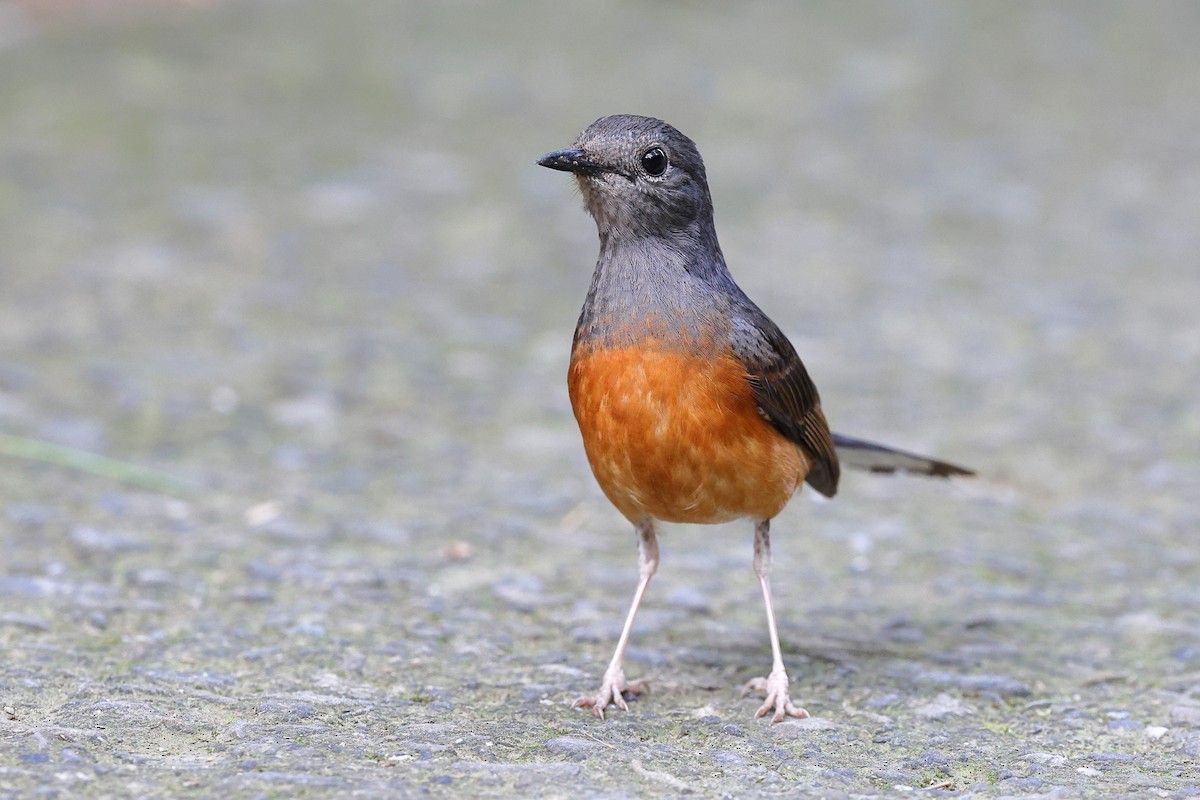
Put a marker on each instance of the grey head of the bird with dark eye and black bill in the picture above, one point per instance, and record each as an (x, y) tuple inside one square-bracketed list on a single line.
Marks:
[(639, 177)]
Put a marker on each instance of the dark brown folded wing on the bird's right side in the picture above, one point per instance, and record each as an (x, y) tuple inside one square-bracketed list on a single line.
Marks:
[(785, 395)]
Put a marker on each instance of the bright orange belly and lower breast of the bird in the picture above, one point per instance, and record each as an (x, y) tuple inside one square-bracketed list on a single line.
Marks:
[(679, 438)]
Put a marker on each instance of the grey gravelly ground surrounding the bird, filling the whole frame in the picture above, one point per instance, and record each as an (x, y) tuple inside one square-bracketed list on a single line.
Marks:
[(295, 260)]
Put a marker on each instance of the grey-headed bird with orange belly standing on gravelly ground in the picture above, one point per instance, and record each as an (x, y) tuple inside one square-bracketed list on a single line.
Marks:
[(693, 405)]
